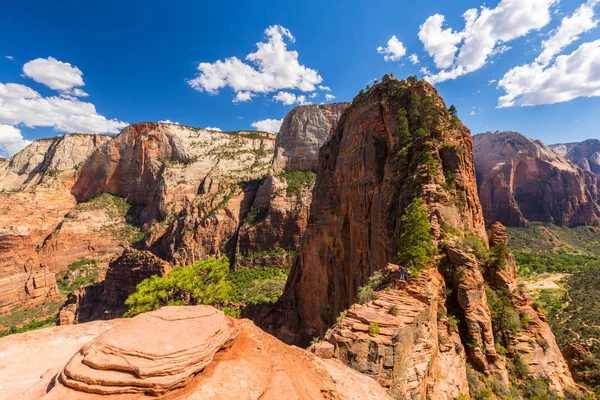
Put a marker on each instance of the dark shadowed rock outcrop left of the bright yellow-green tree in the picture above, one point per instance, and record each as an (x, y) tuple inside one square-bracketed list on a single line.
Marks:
[(106, 300)]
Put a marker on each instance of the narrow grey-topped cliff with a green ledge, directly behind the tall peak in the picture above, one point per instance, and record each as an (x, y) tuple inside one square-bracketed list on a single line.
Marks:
[(283, 200)]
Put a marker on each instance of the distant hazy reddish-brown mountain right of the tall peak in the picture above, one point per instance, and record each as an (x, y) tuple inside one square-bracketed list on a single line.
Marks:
[(522, 180)]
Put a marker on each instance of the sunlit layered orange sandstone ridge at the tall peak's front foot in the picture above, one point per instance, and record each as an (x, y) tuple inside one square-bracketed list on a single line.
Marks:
[(414, 354)]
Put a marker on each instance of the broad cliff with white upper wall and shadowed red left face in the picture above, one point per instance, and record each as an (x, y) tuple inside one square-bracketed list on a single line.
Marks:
[(191, 187)]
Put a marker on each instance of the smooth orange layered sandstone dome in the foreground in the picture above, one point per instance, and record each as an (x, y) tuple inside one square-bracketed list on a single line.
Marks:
[(223, 359)]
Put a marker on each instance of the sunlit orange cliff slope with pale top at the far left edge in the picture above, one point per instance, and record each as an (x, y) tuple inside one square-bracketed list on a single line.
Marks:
[(34, 198)]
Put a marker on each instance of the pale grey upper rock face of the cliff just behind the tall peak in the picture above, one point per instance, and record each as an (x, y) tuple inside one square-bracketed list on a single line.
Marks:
[(303, 131)]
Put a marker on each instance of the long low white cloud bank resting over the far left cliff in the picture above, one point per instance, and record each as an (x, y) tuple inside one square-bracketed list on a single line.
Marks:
[(19, 104)]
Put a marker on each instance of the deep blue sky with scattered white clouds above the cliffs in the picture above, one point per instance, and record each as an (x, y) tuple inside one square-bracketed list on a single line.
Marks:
[(136, 60)]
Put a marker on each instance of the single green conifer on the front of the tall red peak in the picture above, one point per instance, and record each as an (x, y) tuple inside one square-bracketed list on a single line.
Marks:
[(416, 241)]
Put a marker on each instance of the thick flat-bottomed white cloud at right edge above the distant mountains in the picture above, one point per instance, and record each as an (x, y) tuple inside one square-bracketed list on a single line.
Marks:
[(571, 76)]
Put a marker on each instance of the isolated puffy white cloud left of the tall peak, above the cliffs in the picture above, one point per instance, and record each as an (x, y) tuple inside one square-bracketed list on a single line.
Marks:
[(272, 67)]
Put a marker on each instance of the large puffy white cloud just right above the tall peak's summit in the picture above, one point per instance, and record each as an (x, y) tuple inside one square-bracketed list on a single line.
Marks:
[(485, 35)]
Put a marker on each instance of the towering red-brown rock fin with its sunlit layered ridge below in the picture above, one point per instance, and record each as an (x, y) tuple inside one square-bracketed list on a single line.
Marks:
[(395, 146)]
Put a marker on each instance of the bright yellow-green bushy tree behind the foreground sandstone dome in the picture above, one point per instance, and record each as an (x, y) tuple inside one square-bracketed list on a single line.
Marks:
[(205, 282)]
